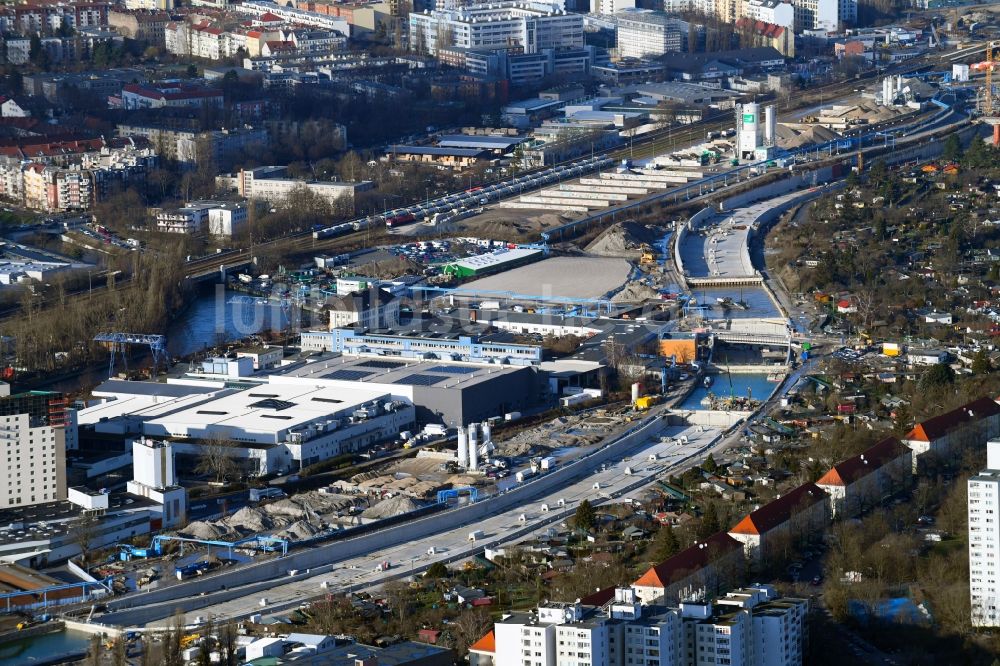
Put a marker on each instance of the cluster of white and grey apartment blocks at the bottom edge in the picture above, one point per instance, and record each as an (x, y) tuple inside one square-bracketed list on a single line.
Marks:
[(747, 627)]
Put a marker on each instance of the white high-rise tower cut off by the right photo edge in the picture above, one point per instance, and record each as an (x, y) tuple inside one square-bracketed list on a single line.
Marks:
[(984, 540)]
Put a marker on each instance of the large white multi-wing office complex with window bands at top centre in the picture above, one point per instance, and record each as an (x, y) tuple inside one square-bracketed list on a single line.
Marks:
[(532, 26)]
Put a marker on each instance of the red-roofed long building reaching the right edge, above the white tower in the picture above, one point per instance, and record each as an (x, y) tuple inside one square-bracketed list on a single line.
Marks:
[(947, 434)]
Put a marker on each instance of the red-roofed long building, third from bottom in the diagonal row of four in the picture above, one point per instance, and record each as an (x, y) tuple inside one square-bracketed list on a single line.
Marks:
[(862, 482)]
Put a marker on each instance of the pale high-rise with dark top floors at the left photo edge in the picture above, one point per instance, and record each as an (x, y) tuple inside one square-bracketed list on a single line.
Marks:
[(33, 434)]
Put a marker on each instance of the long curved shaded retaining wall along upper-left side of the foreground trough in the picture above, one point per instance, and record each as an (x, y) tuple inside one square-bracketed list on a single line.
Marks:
[(228, 584)]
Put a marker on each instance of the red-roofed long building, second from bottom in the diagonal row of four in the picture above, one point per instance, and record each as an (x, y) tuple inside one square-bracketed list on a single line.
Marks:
[(795, 516)]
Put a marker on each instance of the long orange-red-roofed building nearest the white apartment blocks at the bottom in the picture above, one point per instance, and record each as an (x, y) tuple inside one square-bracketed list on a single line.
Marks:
[(713, 564)]
